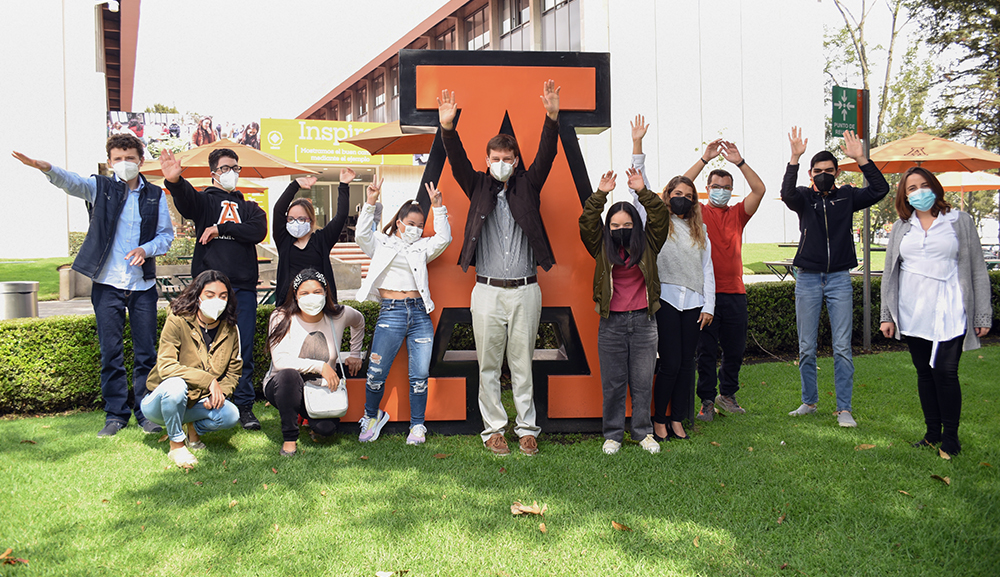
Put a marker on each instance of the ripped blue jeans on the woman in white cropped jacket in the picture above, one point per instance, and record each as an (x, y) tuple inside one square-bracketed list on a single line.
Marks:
[(398, 320)]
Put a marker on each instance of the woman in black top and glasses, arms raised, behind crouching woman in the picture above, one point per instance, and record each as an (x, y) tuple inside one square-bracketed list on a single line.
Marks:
[(300, 243)]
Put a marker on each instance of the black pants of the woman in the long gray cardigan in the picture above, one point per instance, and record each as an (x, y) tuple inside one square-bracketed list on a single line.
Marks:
[(940, 393)]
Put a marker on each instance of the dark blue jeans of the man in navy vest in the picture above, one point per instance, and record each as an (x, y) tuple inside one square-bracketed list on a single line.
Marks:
[(110, 304)]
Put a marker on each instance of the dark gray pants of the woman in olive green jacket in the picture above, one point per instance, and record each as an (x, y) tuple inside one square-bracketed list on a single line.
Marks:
[(626, 346)]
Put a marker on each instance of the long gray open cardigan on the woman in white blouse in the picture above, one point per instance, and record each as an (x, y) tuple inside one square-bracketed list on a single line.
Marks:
[(972, 278)]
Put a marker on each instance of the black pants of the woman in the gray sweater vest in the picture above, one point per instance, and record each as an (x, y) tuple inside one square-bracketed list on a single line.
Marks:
[(678, 339)]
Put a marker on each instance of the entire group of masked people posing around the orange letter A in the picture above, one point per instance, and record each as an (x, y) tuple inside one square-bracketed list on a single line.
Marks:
[(667, 283)]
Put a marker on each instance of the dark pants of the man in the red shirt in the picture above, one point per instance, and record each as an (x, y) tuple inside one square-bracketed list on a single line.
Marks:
[(728, 330)]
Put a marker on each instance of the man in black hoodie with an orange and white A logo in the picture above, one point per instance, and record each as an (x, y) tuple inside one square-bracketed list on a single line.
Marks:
[(228, 228)]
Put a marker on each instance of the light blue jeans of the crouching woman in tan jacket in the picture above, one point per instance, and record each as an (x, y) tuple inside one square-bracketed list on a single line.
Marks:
[(167, 406)]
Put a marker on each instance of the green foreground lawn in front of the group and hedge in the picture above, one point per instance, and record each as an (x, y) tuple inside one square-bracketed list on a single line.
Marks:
[(755, 494)]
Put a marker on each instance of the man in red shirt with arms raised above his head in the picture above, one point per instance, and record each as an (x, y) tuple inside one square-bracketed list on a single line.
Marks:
[(725, 231)]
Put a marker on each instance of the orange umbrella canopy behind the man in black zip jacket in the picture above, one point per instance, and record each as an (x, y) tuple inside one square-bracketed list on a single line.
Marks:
[(930, 152)]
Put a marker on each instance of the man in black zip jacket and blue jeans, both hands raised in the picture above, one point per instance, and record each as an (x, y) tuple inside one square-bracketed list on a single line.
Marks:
[(824, 259)]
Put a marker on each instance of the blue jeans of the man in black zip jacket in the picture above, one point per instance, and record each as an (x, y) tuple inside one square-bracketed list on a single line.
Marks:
[(811, 288)]
